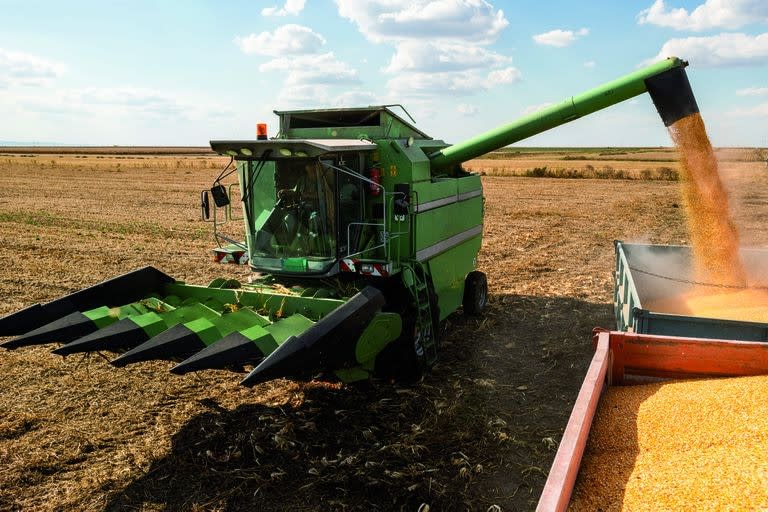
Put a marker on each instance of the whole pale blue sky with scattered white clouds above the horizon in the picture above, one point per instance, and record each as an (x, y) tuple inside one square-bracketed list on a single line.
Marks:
[(159, 73)]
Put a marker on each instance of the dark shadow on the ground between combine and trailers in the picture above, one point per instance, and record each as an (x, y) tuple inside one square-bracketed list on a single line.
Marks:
[(480, 429)]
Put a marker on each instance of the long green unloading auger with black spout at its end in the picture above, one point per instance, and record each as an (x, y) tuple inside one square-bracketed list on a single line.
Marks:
[(666, 82)]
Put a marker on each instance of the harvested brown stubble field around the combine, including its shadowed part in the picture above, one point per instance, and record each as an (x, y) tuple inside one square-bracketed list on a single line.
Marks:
[(480, 430)]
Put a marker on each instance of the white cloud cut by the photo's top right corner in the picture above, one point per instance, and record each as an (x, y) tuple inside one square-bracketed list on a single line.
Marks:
[(730, 14)]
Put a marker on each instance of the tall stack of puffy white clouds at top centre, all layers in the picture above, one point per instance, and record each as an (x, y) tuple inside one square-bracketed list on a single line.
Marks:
[(440, 45)]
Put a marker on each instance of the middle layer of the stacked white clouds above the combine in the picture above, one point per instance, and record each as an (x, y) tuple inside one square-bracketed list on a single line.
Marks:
[(441, 56)]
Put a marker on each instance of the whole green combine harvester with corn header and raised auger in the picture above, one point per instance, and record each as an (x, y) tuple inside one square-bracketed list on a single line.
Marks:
[(362, 230)]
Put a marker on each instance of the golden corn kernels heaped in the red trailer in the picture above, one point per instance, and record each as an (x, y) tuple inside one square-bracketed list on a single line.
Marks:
[(685, 445)]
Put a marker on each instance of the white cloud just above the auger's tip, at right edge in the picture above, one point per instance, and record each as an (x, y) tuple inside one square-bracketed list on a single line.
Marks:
[(727, 49)]
